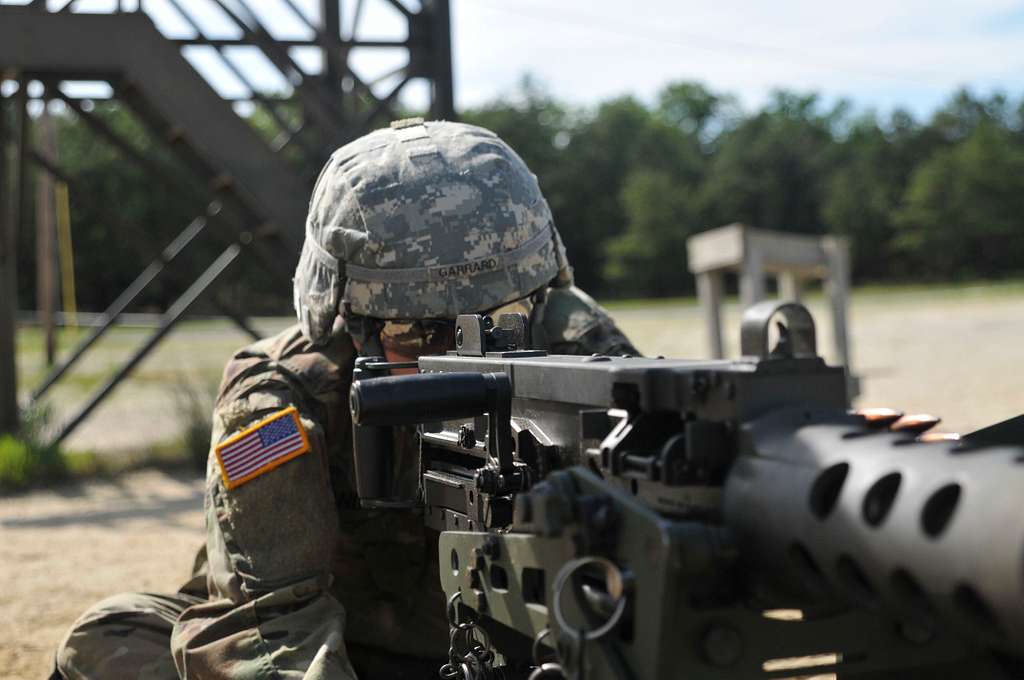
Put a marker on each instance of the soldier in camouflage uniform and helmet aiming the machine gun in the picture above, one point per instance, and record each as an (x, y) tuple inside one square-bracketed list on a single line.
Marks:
[(408, 227)]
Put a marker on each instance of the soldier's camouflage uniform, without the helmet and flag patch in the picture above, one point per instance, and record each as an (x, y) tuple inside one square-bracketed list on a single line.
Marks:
[(320, 582)]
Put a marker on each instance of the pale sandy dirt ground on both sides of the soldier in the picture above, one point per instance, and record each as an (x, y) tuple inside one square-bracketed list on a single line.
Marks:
[(953, 352)]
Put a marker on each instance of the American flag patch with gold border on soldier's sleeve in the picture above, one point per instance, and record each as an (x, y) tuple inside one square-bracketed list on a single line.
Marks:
[(262, 448)]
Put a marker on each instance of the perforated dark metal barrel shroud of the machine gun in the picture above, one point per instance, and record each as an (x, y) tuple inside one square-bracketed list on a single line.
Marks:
[(926, 531)]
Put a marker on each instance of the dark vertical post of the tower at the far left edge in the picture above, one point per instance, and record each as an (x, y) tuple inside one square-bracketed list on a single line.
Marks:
[(12, 206)]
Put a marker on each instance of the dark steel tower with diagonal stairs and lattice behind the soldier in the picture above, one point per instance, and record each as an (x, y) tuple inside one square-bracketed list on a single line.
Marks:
[(261, 190)]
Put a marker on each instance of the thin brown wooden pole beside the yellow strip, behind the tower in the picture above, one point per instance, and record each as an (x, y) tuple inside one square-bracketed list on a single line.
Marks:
[(47, 271)]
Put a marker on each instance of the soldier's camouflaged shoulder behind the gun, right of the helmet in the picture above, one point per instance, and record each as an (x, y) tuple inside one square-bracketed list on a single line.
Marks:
[(573, 323)]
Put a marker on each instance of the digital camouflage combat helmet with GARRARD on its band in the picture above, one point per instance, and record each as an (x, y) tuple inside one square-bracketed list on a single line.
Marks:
[(423, 221)]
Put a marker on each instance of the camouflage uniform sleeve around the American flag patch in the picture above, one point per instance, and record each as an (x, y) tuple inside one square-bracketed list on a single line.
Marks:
[(271, 544)]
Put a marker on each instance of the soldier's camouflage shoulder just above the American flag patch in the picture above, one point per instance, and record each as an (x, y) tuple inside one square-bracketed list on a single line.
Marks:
[(284, 370)]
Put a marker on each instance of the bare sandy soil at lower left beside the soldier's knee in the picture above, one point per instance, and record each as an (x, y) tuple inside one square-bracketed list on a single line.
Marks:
[(66, 548)]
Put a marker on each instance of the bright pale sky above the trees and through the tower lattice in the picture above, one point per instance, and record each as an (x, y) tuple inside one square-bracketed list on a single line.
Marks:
[(878, 54)]
